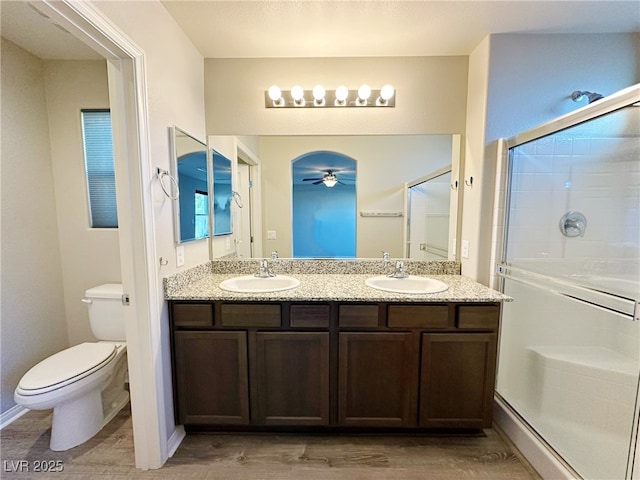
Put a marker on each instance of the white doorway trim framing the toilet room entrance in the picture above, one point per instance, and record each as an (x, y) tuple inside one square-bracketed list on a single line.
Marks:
[(126, 70)]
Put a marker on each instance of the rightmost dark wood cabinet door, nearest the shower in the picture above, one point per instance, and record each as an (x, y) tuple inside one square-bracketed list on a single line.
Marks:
[(457, 380)]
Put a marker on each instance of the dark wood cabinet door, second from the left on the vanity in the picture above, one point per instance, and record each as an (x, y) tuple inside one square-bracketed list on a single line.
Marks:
[(290, 378)]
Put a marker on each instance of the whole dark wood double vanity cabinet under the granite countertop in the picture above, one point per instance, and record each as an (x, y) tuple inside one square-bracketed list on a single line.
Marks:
[(334, 364)]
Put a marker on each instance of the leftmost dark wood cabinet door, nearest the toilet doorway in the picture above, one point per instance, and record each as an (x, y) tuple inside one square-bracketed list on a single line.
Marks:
[(211, 377)]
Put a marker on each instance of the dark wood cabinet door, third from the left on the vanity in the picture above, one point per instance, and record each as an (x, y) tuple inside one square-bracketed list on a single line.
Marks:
[(377, 379)]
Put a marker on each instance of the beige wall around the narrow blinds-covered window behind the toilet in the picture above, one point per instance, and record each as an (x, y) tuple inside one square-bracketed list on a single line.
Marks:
[(89, 256)]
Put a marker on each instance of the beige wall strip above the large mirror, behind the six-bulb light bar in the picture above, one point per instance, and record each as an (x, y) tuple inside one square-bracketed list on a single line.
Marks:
[(431, 95)]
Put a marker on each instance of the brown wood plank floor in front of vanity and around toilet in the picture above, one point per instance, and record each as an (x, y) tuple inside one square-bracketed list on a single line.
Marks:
[(109, 455)]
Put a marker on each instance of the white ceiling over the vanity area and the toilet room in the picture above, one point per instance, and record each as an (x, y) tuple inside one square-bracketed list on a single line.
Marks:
[(330, 28)]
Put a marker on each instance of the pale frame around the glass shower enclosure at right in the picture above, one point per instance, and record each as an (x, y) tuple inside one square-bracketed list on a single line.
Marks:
[(538, 452)]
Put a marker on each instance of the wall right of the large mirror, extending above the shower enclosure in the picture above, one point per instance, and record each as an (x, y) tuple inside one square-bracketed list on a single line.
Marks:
[(517, 82)]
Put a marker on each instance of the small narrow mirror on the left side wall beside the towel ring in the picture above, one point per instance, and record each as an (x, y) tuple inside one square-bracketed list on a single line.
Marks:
[(190, 169)]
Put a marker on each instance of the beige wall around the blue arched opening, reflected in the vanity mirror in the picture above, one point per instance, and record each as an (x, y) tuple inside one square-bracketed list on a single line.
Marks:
[(384, 164)]
